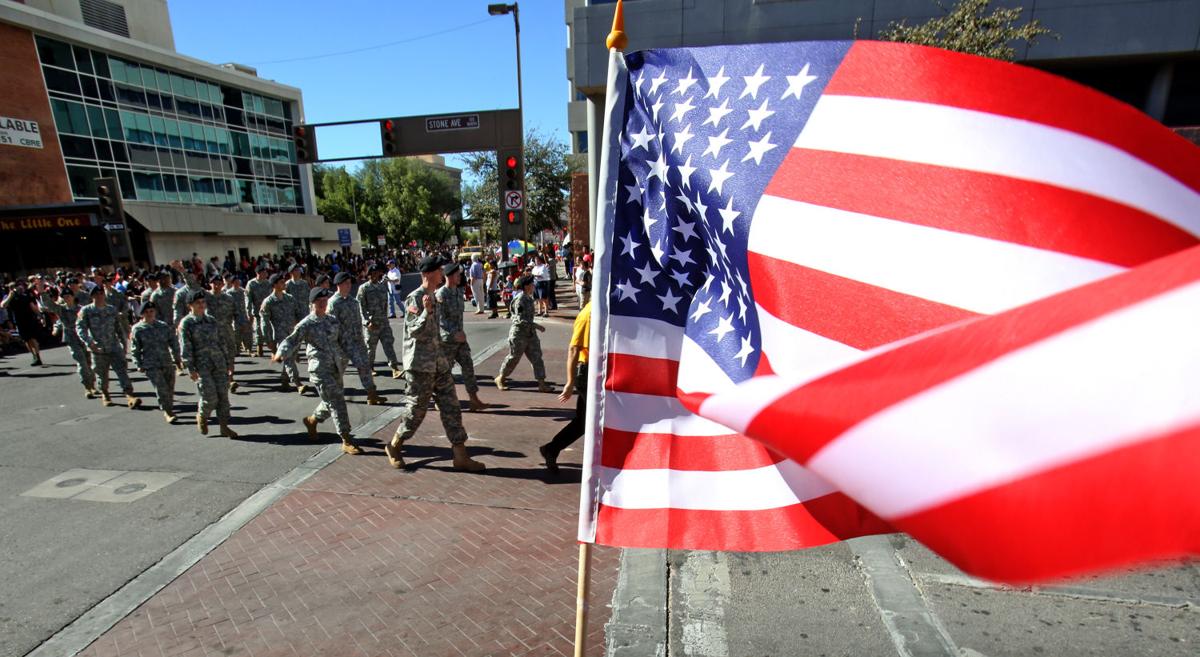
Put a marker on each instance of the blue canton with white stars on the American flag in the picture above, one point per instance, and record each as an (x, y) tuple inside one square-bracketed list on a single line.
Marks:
[(706, 129)]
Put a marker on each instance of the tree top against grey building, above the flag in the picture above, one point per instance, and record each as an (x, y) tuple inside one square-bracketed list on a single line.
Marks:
[(969, 28)]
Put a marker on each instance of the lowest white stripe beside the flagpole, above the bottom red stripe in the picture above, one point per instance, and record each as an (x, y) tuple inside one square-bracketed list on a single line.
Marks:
[(769, 487)]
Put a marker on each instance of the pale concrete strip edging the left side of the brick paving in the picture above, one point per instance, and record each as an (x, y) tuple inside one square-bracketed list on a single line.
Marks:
[(107, 613)]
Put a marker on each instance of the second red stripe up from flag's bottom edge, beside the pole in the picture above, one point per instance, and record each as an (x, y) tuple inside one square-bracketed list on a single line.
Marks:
[(711, 454)]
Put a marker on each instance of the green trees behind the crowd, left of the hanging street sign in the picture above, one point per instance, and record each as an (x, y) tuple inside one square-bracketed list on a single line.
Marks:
[(400, 198)]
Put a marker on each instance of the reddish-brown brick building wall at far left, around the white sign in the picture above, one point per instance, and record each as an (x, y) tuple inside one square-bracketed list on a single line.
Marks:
[(29, 177)]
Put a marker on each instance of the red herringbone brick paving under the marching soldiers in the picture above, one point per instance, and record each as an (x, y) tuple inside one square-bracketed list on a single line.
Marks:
[(367, 560)]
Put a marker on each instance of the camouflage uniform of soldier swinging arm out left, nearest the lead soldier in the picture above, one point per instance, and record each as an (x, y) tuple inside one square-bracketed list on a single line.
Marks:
[(322, 335)]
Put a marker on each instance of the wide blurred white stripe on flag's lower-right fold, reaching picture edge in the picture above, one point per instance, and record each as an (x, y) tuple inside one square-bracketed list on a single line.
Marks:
[(1089, 390)]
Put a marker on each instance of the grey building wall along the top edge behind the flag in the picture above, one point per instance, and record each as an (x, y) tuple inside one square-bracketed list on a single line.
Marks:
[(1090, 28)]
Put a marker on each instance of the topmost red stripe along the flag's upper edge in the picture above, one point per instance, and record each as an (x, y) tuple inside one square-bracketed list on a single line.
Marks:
[(934, 76)]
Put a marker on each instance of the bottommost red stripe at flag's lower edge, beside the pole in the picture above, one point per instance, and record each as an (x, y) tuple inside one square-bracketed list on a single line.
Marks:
[(826, 520)]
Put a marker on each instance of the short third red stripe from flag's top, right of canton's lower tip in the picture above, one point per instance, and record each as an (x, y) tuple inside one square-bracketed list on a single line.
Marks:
[(844, 310)]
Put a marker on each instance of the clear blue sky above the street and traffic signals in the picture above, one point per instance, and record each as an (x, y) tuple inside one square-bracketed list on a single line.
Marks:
[(469, 69)]
